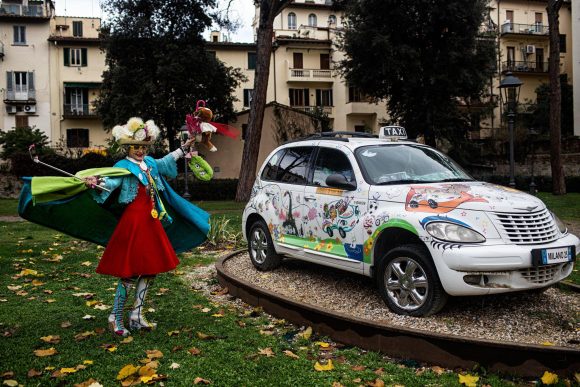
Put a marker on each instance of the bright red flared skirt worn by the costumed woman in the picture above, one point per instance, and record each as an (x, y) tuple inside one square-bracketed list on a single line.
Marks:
[(139, 245)]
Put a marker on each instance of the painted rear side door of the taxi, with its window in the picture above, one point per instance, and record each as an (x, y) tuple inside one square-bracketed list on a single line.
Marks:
[(286, 199)]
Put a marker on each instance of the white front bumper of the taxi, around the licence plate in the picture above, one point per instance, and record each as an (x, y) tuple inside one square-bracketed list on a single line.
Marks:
[(488, 269)]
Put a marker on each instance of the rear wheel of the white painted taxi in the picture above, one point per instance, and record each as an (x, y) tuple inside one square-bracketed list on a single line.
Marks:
[(261, 248)]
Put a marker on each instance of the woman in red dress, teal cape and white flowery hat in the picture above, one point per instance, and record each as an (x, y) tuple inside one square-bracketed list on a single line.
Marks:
[(139, 247)]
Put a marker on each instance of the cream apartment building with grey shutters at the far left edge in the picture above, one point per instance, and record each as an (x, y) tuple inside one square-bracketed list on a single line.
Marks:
[(25, 82)]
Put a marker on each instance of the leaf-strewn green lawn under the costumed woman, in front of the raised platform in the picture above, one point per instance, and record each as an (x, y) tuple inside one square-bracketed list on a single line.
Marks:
[(230, 357)]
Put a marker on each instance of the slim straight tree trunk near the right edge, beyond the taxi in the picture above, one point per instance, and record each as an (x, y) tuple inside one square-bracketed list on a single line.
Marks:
[(558, 182)]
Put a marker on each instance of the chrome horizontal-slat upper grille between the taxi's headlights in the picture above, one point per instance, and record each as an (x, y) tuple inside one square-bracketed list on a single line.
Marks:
[(526, 229)]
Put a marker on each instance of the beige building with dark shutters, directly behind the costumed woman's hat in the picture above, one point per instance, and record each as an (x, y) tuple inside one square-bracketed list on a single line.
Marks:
[(76, 66)]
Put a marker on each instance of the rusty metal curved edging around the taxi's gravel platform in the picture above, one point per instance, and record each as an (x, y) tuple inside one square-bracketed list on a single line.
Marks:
[(450, 351)]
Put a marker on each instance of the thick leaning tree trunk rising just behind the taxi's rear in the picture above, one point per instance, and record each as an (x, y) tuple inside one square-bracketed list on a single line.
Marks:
[(268, 11)]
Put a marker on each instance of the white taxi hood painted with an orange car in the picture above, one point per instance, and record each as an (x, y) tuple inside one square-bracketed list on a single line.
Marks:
[(445, 197)]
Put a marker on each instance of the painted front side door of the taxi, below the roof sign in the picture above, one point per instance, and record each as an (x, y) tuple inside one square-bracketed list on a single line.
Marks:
[(332, 221)]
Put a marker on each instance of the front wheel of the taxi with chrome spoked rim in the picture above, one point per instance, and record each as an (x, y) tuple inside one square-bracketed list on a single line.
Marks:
[(408, 282)]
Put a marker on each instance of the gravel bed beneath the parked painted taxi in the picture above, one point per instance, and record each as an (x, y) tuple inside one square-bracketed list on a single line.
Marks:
[(549, 318)]
